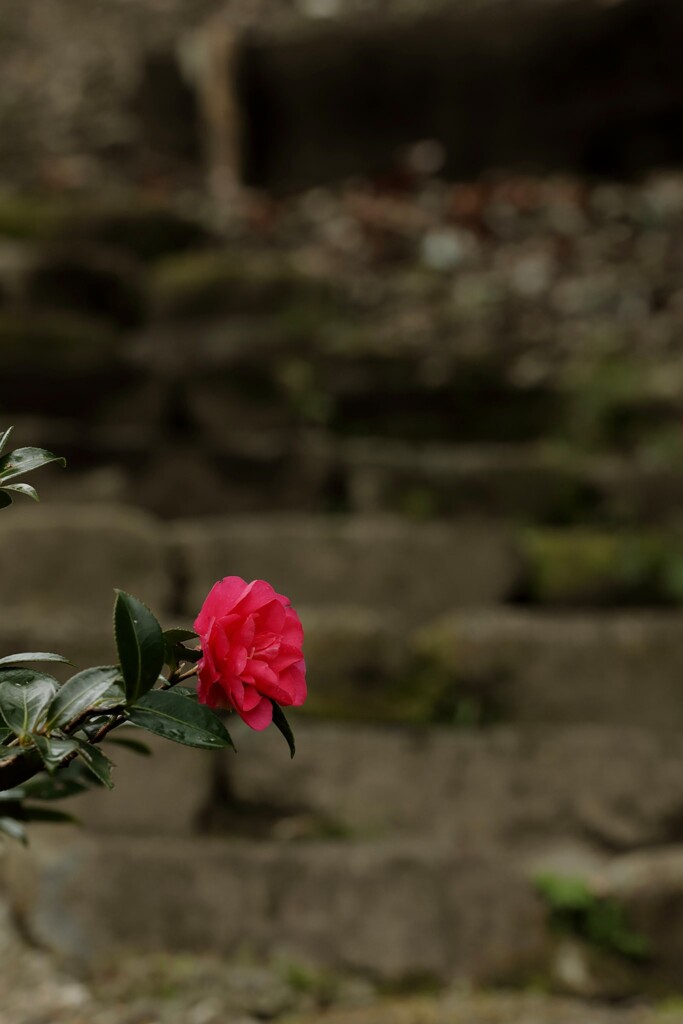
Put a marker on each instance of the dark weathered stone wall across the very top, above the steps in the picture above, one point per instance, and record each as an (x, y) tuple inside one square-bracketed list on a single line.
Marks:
[(104, 95)]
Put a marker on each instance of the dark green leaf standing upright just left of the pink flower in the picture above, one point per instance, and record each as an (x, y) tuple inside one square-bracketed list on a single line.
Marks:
[(141, 645)]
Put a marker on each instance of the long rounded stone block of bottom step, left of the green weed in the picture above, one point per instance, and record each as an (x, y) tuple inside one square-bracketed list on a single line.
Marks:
[(392, 912)]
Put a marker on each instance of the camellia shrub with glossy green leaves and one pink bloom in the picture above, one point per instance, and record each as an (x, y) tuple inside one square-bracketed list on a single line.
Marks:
[(245, 657)]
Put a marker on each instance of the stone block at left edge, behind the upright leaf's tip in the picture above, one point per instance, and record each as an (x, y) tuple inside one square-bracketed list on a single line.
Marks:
[(65, 562)]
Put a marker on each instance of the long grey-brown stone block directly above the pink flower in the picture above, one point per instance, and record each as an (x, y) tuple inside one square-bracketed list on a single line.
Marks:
[(381, 564)]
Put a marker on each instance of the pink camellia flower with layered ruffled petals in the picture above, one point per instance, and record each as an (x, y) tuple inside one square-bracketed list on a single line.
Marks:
[(251, 651)]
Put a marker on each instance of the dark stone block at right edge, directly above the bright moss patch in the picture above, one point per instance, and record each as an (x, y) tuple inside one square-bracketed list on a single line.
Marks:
[(527, 484)]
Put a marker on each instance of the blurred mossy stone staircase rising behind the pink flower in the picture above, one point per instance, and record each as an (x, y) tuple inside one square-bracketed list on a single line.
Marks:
[(467, 478)]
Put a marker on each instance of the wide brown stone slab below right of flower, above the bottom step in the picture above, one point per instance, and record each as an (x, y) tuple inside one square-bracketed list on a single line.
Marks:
[(620, 789)]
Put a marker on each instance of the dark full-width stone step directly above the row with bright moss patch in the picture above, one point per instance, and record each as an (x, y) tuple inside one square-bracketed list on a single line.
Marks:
[(311, 472)]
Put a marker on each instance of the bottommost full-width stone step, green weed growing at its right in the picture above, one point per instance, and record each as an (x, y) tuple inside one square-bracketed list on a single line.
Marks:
[(395, 913)]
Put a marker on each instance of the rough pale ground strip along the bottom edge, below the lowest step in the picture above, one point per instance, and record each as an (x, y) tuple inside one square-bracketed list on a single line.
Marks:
[(204, 990)]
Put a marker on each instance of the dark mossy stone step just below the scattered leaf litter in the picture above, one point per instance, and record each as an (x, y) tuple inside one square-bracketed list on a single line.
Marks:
[(272, 373)]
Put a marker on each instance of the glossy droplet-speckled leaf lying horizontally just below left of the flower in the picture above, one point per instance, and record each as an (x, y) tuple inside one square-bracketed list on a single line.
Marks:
[(170, 715)]
